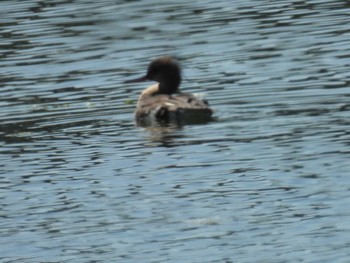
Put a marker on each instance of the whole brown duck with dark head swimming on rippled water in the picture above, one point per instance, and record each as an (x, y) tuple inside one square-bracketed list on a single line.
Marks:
[(163, 102)]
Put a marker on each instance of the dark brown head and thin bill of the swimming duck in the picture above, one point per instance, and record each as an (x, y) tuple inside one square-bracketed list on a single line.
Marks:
[(166, 71)]
